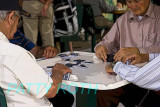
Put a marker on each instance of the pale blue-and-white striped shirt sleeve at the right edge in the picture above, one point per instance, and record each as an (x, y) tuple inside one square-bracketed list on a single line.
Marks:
[(146, 77)]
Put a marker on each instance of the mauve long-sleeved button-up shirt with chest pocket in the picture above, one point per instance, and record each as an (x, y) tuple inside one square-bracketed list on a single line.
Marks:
[(129, 31)]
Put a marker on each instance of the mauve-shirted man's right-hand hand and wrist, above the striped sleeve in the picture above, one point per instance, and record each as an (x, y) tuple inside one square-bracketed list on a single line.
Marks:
[(124, 52)]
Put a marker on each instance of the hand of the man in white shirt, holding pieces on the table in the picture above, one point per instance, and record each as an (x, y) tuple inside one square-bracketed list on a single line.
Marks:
[(62, 68)]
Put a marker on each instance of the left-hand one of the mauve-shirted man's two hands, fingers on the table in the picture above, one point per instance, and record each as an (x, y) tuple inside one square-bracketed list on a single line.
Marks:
[(101, 52)]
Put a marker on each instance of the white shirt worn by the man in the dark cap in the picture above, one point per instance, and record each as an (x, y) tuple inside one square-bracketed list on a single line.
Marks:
[(24, 82)]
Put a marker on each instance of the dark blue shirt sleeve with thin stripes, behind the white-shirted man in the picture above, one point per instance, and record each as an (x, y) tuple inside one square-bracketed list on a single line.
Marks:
[(20, 39)]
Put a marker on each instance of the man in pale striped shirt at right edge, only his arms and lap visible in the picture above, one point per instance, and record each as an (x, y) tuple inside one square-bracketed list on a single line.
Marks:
[(145, 77)]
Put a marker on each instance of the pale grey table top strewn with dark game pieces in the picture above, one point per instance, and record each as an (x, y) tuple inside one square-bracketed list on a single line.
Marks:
[(93, 77)]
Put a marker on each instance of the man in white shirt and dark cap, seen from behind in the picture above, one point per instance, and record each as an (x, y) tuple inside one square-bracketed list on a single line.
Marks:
[(23, 81)]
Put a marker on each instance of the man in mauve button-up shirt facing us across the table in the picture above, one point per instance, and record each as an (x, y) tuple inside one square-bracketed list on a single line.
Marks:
[(136, 31)]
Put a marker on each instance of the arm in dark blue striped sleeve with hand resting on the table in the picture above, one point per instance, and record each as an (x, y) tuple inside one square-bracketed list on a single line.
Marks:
[(39, 52)]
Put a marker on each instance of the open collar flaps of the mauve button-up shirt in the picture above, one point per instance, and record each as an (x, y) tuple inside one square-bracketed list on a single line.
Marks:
[(150, 12)]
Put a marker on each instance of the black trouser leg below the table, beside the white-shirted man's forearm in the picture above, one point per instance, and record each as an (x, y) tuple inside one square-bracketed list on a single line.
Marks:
[(62, 99)]
